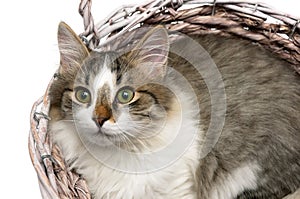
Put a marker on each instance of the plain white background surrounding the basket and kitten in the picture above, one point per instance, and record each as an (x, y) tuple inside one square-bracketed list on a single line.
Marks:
[(29, 57)]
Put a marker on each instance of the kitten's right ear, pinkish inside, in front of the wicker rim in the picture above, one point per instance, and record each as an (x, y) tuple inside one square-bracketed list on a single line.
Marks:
[(151, 53)]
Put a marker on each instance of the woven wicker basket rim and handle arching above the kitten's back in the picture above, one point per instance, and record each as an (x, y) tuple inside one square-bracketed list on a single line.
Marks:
[(281, 36)]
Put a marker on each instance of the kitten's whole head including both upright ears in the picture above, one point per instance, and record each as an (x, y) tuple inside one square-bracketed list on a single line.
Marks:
[(112, 98)]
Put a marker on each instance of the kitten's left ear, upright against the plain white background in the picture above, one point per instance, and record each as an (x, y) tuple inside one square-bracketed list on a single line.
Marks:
[(72, 50)]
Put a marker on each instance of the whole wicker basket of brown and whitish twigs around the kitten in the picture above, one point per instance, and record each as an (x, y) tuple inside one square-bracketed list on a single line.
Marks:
[(251, 21)]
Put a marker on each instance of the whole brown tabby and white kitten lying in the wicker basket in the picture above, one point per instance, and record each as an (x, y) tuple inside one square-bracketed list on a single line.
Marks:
[(135, 124)]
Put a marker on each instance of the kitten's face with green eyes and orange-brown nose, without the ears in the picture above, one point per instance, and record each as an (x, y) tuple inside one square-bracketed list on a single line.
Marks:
[(110, 105)]
